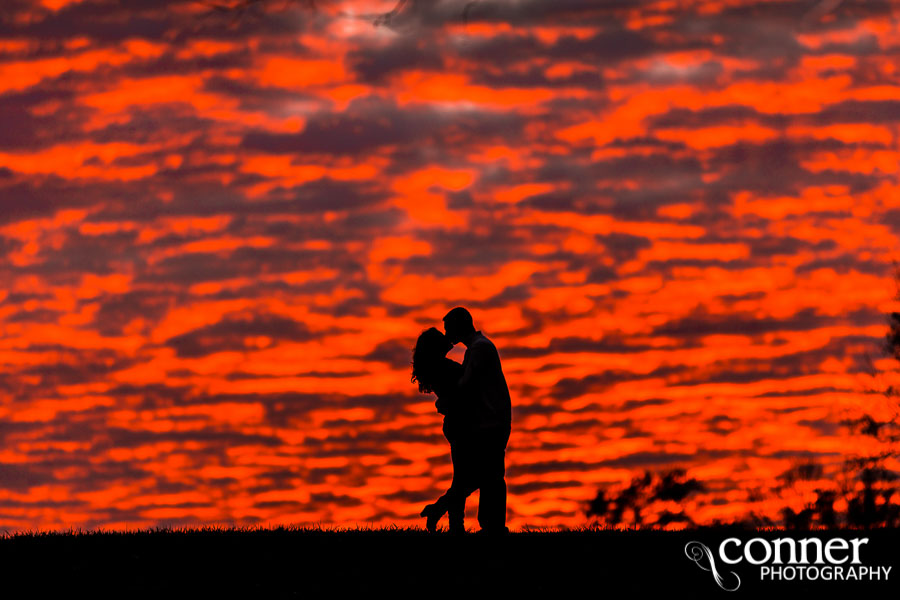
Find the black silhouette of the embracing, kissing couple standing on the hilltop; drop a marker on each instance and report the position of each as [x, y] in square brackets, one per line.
[475, 402]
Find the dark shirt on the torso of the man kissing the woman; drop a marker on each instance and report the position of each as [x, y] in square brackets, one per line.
[483, 384]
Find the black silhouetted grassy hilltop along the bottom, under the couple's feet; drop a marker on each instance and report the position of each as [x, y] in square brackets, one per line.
[317, 563]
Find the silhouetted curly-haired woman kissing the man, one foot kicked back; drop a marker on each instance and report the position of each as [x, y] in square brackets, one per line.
[437, 373]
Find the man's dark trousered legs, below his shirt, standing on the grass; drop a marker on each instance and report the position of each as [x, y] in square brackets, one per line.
[492, 473]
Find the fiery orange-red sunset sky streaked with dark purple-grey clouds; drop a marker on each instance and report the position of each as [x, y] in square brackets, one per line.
[222, 232]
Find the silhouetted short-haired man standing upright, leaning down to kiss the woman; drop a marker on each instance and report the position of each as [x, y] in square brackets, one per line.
[483, 384]
